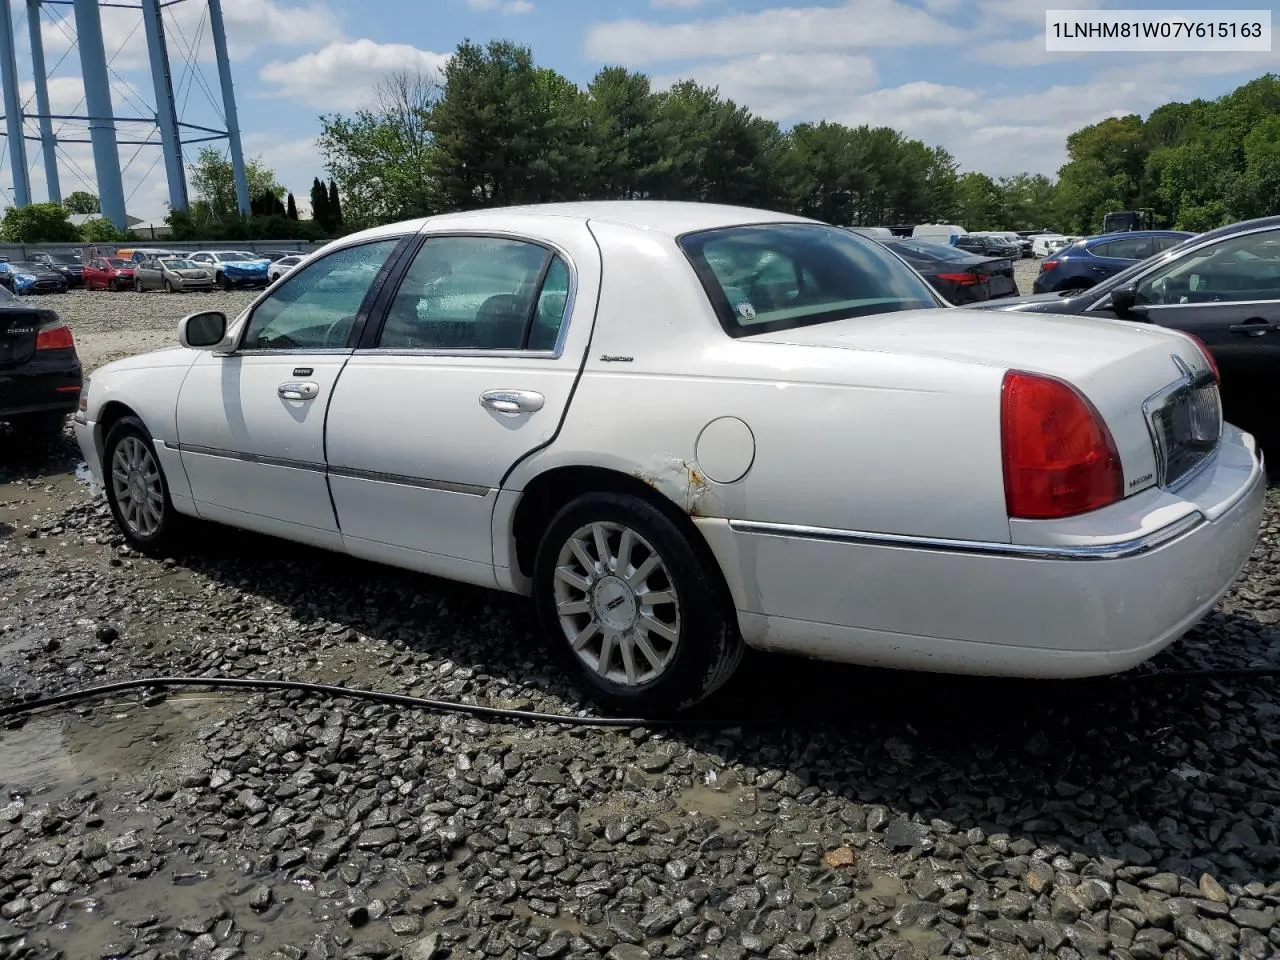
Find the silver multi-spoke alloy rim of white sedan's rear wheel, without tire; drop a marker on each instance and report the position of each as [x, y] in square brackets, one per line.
[616, 604]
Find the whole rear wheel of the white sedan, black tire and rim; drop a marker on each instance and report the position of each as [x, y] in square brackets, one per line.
[638, 618]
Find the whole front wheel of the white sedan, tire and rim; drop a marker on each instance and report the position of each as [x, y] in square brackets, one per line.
[138, 491]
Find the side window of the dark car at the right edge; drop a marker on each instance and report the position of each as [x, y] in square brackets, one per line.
[1242, 268]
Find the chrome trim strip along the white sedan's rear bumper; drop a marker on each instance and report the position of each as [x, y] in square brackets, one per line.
[1121, 550]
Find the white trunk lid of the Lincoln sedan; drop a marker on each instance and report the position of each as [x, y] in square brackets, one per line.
[1118, 365]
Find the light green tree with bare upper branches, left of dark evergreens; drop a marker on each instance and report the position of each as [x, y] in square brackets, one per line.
[380, 157]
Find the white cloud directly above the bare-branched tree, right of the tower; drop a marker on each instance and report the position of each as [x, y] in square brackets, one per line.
[342, 75]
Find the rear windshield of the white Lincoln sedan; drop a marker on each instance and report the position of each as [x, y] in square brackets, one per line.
[779, 277]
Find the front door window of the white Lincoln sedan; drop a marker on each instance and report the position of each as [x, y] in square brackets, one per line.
[317, 308]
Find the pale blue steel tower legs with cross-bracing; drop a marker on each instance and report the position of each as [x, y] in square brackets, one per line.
[100, 117]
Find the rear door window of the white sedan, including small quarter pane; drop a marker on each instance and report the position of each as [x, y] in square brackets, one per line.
[478, 294]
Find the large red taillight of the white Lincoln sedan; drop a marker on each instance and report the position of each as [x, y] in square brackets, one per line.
[1059, 456]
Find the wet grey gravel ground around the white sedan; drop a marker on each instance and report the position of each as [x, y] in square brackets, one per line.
[838, 813]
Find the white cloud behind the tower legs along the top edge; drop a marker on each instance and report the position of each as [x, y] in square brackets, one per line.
[252, 25]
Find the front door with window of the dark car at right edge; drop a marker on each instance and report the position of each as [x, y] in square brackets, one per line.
[1228, 295]
